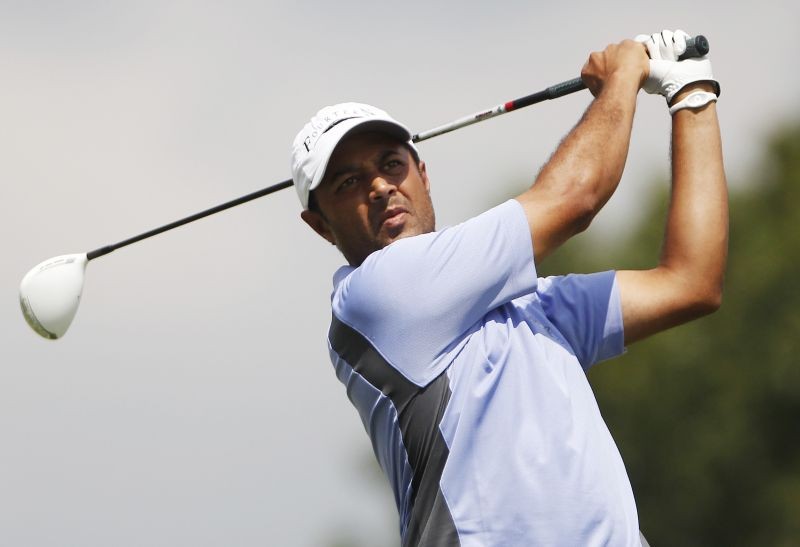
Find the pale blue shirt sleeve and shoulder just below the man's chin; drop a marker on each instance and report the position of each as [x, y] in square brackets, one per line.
[414, 299]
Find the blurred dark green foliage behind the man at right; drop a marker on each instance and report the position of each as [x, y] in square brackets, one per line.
[707, 415]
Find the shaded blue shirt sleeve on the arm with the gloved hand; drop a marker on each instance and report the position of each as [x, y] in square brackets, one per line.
[587, 311]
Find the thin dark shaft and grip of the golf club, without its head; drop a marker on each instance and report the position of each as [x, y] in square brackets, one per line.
[696, 47]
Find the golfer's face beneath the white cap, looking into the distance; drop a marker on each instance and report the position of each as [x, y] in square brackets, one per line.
[373, 194]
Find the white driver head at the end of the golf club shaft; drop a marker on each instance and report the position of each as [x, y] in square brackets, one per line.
[49, 294]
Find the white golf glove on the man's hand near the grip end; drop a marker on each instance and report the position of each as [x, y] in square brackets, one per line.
[667, 74]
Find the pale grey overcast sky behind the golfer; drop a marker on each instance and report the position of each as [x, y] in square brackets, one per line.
[193, 402]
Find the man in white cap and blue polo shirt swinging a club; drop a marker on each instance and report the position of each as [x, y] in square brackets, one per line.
[468, 372]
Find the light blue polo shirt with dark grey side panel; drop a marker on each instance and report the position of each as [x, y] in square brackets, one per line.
[469, 375]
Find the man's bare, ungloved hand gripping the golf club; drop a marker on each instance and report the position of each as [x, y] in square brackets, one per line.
[627, 59]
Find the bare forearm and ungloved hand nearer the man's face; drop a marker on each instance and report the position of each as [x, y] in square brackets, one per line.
[584, 171]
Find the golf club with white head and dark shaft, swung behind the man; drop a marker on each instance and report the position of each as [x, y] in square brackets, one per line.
[50, 292]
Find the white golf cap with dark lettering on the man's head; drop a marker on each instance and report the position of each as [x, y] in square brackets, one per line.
[314, 144]
